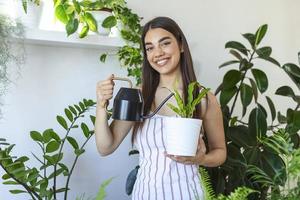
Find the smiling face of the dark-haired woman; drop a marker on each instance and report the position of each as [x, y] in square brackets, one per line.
[163, 52]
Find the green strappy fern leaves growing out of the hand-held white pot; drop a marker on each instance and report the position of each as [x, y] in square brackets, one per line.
[187, 109]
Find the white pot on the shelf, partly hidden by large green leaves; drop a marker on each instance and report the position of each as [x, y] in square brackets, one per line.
[100, 16]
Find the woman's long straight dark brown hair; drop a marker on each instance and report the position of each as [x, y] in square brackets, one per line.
[150, 77]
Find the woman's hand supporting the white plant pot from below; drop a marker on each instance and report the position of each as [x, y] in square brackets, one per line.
[198, 159]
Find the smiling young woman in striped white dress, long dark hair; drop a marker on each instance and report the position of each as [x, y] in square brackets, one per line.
[167, 62]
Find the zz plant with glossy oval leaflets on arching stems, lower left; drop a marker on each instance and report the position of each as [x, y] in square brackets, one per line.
[40, 182]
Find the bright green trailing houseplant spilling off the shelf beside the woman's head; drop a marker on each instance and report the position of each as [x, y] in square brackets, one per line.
[72, 13]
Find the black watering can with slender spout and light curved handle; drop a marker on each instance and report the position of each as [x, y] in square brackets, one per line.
[129, 104]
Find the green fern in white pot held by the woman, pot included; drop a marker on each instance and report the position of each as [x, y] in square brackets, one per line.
[183, 131]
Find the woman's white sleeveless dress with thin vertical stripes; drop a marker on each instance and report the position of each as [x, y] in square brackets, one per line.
[159, 177]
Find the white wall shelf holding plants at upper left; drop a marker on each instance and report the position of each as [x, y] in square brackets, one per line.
[58, 38]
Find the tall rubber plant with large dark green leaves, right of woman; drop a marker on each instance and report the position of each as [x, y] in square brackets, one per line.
[247, 83]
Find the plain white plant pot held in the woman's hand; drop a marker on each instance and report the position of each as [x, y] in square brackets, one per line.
[182, 135]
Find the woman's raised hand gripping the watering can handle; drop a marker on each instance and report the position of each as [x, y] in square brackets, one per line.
[104, 91]
